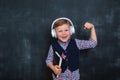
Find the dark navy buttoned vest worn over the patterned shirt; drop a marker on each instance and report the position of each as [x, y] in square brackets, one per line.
[71, 60]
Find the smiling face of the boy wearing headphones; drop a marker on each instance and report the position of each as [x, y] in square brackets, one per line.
[63, 32]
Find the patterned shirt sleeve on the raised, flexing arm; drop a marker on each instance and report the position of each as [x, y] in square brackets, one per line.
[85, 44]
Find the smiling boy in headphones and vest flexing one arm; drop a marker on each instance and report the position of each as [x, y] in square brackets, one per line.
[68, 48]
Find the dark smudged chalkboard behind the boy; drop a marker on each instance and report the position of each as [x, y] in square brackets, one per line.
[25, 37]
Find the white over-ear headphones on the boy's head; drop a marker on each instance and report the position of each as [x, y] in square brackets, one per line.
[72, 29]
